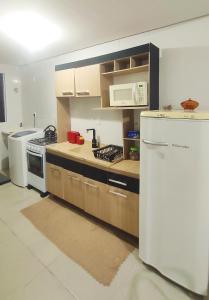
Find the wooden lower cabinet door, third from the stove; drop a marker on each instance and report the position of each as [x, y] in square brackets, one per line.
[92, 197]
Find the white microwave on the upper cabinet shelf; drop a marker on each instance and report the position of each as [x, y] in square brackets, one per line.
[129, 94]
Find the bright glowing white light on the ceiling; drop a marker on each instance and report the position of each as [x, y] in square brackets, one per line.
[30, 30]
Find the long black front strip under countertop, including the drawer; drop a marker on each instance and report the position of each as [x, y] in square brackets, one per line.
[106, 177]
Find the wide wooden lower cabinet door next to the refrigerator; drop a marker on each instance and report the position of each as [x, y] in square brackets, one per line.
[121, 209]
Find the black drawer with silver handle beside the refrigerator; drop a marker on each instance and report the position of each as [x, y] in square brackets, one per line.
[123, 182]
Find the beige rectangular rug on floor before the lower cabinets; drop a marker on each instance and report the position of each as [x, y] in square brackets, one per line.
[92, 246]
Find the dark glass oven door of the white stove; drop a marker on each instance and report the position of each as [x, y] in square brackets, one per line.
[35, 163]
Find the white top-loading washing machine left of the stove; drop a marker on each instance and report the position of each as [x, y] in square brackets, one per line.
[17, 154]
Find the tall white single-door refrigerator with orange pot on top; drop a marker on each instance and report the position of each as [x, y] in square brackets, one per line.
[174, 196]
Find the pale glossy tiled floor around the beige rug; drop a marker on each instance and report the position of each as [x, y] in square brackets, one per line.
[32, 268]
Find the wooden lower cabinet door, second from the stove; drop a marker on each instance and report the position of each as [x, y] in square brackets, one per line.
[73, 188]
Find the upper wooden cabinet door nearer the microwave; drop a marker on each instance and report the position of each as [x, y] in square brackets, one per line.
[87, 81]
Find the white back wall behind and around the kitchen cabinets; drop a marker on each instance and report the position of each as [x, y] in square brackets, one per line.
[184, 72]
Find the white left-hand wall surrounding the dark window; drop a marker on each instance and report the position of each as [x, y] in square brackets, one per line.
[13, 108]
